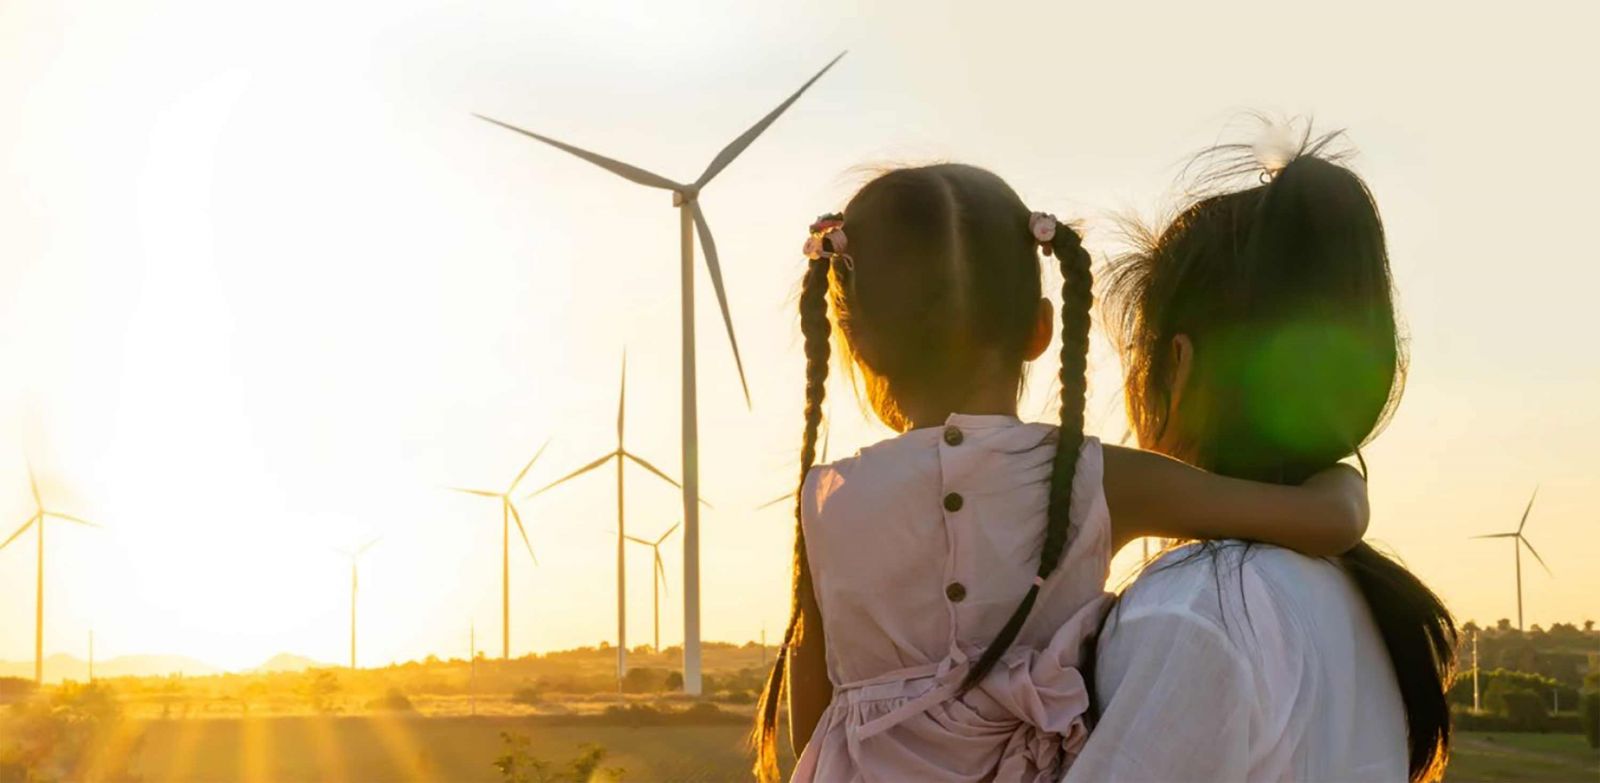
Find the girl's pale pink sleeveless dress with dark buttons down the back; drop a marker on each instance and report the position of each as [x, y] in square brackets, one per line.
[921, 548]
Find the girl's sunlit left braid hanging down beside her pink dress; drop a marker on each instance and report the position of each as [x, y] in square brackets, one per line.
[815, 327]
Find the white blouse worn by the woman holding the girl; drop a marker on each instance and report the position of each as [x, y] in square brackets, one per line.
[1255, 665]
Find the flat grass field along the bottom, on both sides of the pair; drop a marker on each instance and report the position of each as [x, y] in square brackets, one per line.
[460, 749]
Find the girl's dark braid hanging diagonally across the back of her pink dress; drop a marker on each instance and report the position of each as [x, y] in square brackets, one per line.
[1076, 299]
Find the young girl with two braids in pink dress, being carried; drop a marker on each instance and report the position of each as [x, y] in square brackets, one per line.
[948, 580]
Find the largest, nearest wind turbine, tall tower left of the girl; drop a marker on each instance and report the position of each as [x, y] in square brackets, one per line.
[686, 196]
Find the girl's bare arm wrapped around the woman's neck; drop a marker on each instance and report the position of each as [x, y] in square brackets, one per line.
[1154, 496]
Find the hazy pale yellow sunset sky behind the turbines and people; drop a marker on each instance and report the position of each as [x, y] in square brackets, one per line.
[266, 286]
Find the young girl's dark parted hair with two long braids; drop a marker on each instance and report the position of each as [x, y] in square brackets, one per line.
[942, 284]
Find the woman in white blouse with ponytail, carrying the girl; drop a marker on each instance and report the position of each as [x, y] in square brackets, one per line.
[1260, 340]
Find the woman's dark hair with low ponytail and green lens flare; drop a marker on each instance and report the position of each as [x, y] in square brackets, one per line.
[1297, 361]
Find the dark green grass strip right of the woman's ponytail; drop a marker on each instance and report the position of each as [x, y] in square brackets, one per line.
[1481, 758]
